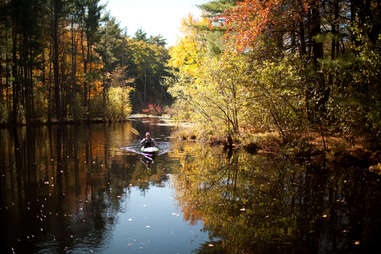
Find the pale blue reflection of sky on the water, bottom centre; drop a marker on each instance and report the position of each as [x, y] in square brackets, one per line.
[152, 223]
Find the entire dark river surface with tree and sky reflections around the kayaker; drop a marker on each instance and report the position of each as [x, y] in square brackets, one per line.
[73, 190]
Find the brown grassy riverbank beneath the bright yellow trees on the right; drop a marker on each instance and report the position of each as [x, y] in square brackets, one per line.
[309, 146]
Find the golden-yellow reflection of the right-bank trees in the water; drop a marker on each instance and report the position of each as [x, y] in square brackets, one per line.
[256, 204]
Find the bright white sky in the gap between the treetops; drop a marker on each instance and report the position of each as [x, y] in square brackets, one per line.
[153, 16]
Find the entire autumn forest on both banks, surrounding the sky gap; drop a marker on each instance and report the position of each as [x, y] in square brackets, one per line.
[286, 66]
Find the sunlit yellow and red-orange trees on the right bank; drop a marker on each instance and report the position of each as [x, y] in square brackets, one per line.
[293, 67]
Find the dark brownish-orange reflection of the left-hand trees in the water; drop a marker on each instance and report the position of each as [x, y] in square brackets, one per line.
[62, 186]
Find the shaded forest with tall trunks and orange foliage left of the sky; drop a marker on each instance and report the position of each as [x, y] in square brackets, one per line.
[69, 60]
